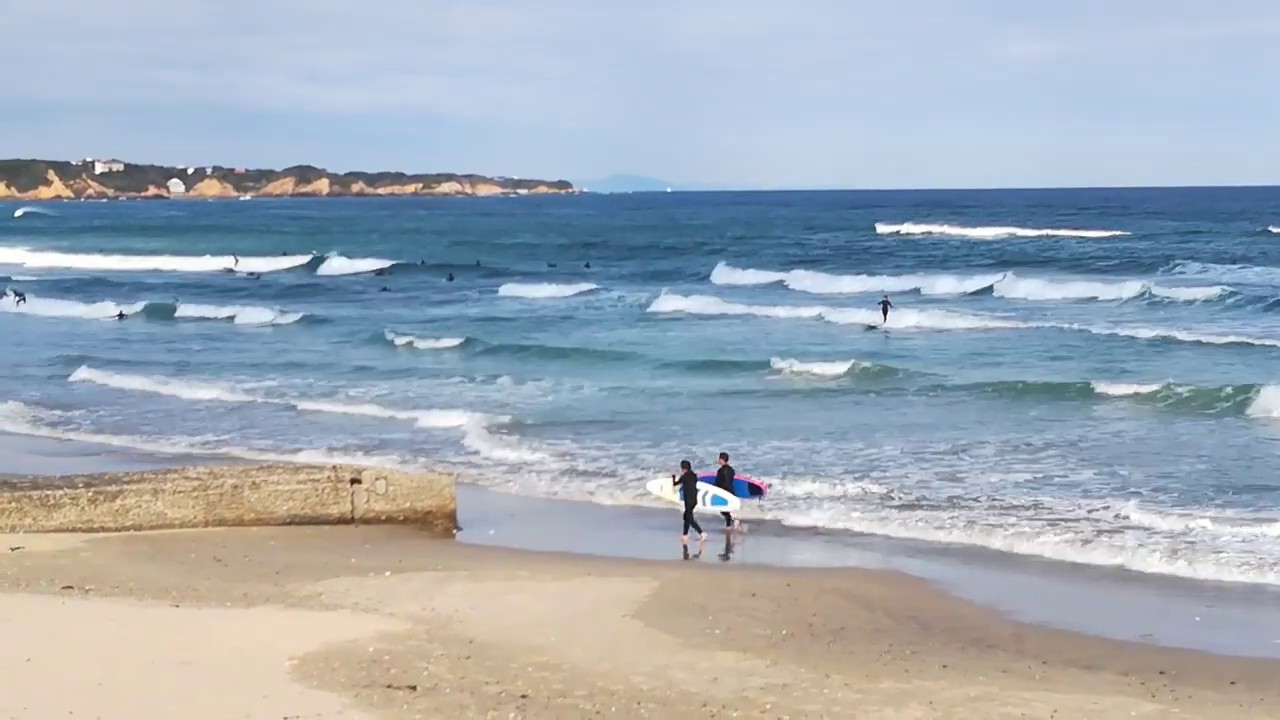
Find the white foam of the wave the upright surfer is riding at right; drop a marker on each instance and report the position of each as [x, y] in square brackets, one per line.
[899, 320]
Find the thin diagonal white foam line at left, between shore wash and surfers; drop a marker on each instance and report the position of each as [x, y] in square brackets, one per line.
[213, 393]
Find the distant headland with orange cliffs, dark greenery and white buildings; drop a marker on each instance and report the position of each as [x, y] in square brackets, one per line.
[98, 179]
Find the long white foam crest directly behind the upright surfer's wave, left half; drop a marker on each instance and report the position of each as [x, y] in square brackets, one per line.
[826, 284]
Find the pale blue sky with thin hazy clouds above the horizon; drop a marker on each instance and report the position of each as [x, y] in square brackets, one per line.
[744, 94]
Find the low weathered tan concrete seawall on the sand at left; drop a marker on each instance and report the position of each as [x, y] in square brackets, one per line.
[230, 496]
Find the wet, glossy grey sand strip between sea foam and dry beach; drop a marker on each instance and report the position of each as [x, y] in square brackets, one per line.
[1229, 619]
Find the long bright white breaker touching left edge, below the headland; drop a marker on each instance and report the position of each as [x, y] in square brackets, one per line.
[141, 263]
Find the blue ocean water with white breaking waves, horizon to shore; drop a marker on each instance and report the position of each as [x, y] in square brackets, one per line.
[1084, 376]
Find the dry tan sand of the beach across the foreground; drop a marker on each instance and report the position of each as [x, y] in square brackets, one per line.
[326, 623]
